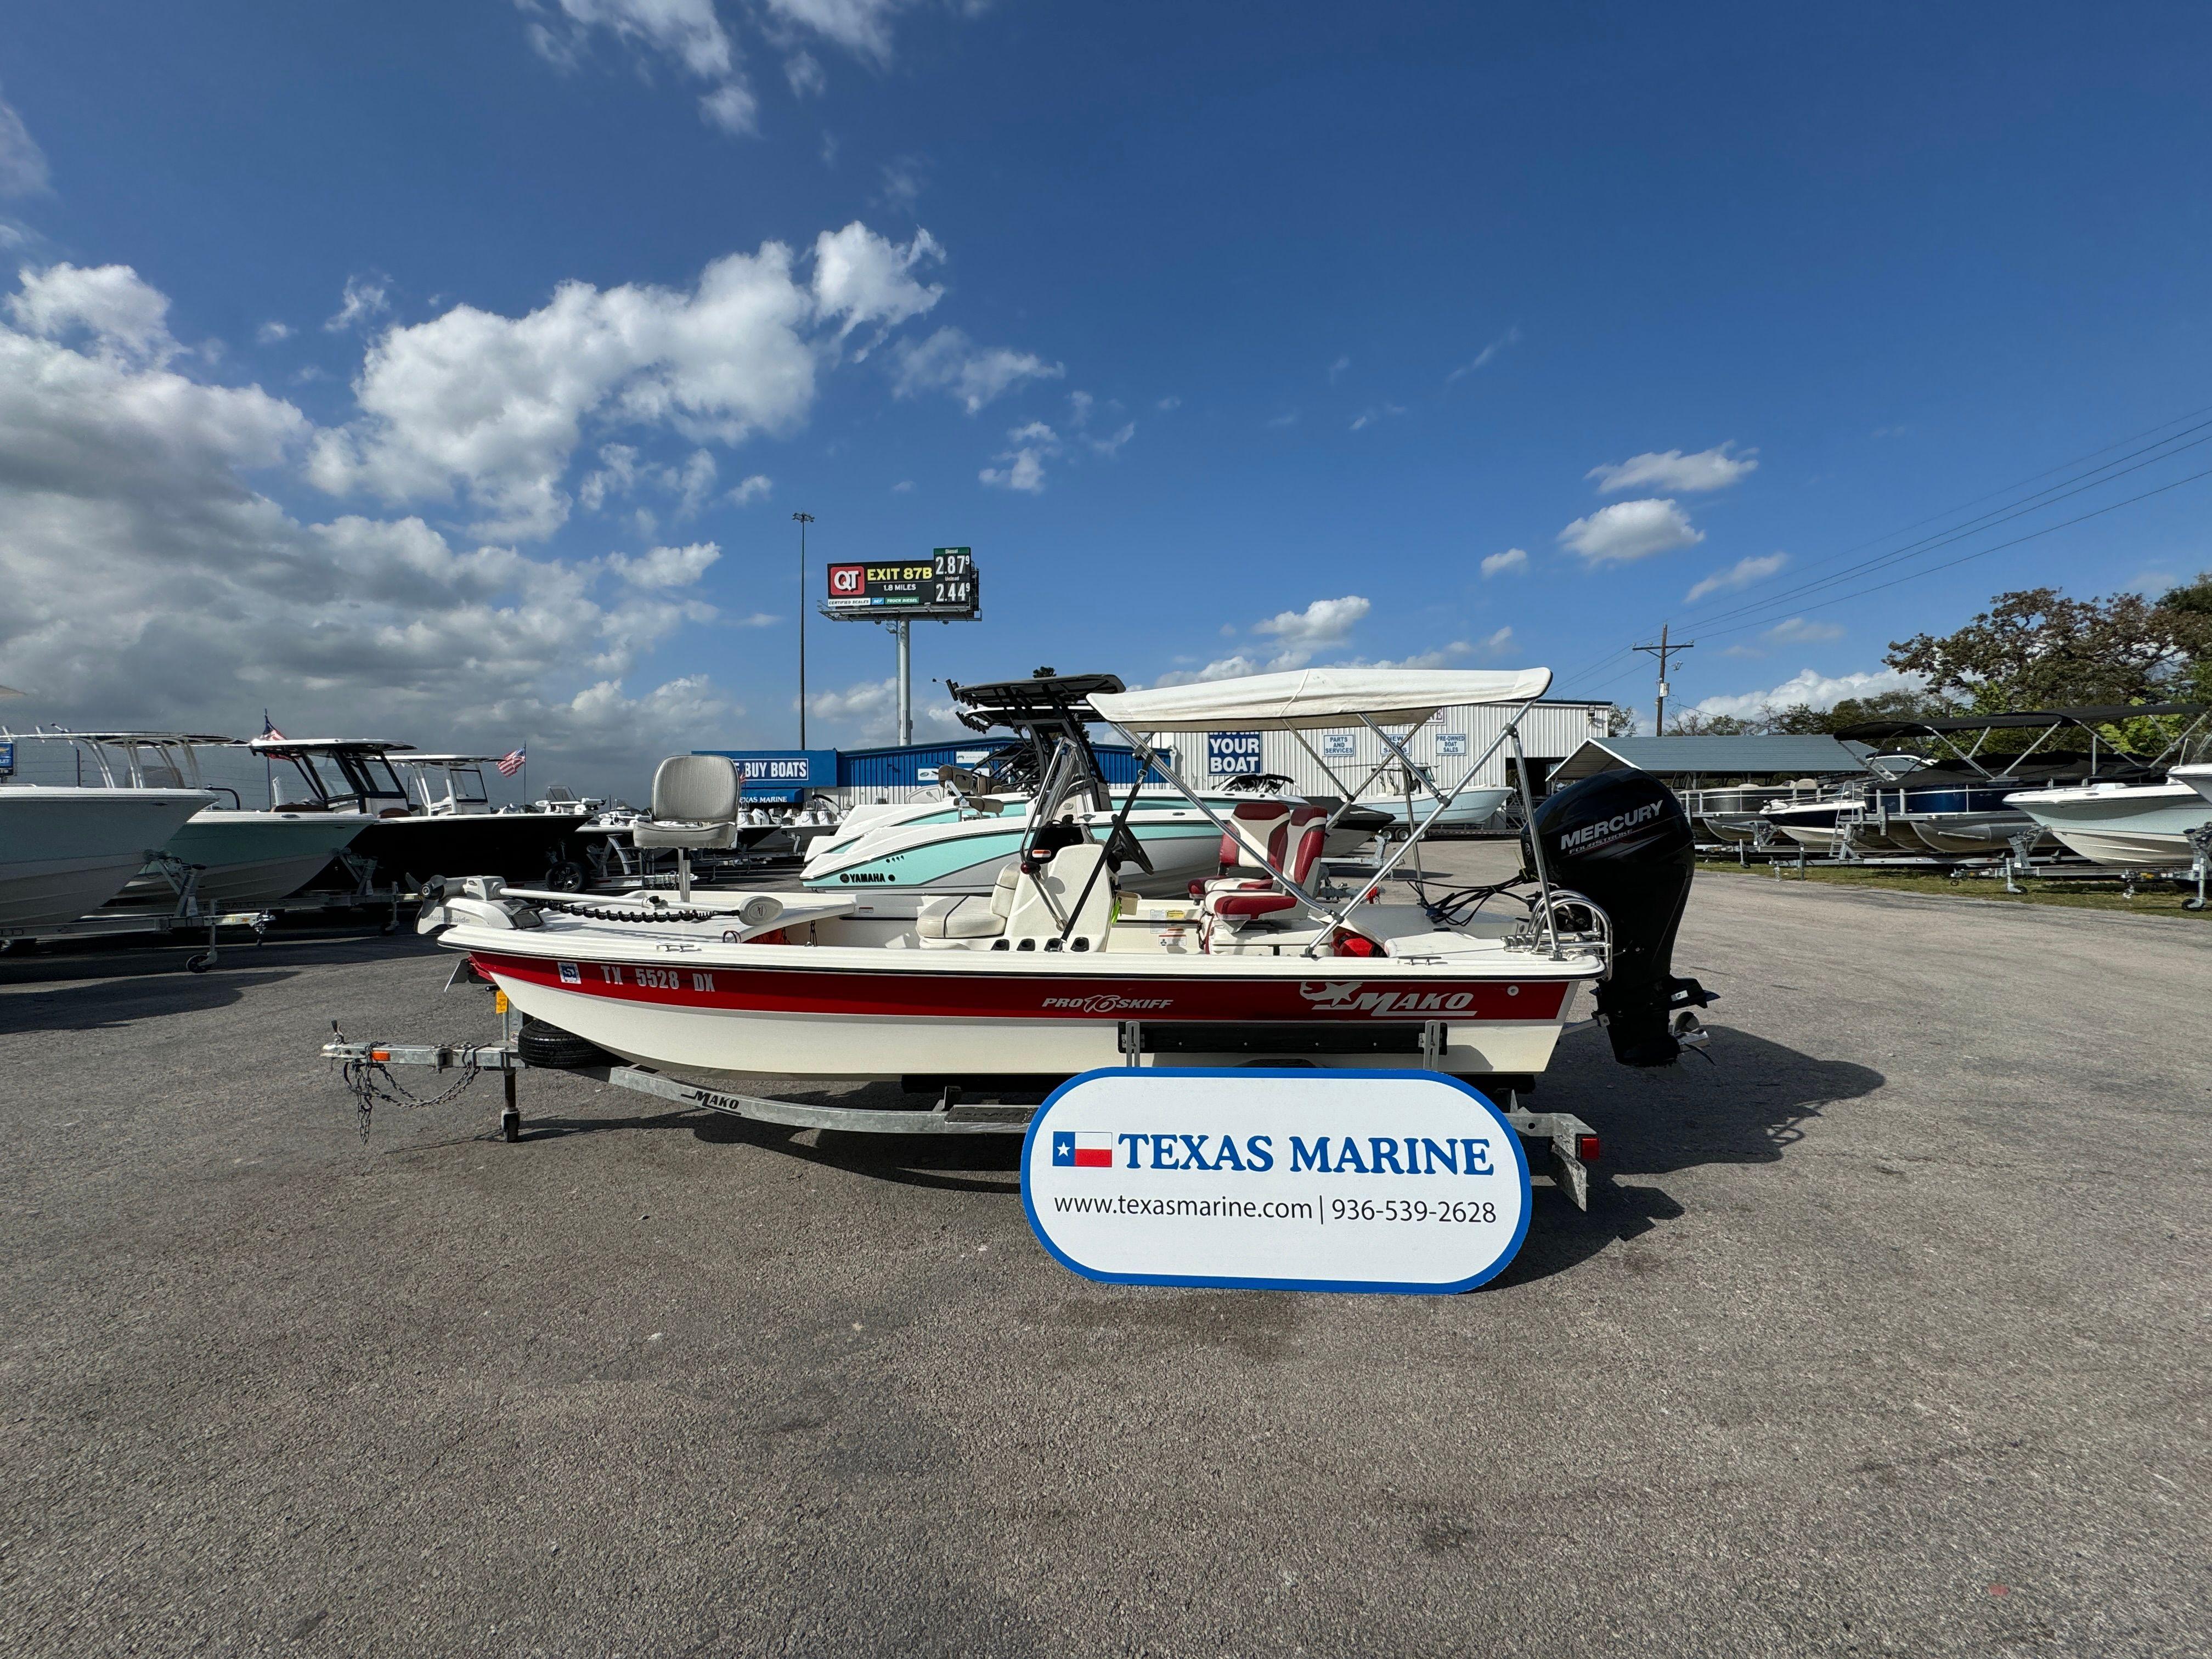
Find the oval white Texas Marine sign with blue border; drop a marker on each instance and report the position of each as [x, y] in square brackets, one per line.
[1277, 1180]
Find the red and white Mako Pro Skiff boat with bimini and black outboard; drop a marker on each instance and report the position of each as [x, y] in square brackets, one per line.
[1061, 970]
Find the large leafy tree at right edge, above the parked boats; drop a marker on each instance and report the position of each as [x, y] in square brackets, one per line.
[2038, 649]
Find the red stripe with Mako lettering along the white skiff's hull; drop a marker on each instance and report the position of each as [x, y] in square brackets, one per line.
[1021, 997]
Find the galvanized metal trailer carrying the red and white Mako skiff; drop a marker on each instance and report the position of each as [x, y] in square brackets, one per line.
[366, 1067]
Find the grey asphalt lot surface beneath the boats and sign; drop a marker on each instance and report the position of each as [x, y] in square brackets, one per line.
[1886, 1335]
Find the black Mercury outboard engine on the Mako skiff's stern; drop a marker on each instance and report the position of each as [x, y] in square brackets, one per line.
[1623, 842]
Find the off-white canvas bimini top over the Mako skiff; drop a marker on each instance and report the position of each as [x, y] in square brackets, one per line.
[1313, 700]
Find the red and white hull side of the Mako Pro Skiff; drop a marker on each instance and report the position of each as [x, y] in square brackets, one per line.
[1052, 1023]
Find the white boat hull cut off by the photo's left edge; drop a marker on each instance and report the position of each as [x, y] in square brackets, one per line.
[67, 853]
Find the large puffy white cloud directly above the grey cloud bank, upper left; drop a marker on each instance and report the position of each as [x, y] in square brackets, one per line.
[497, 406]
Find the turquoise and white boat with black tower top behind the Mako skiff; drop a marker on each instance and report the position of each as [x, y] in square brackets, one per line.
[1047, 771]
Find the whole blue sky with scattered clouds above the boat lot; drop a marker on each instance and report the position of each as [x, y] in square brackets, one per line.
[455, 371]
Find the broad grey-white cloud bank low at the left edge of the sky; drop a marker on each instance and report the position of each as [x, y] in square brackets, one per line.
[129, 523]
